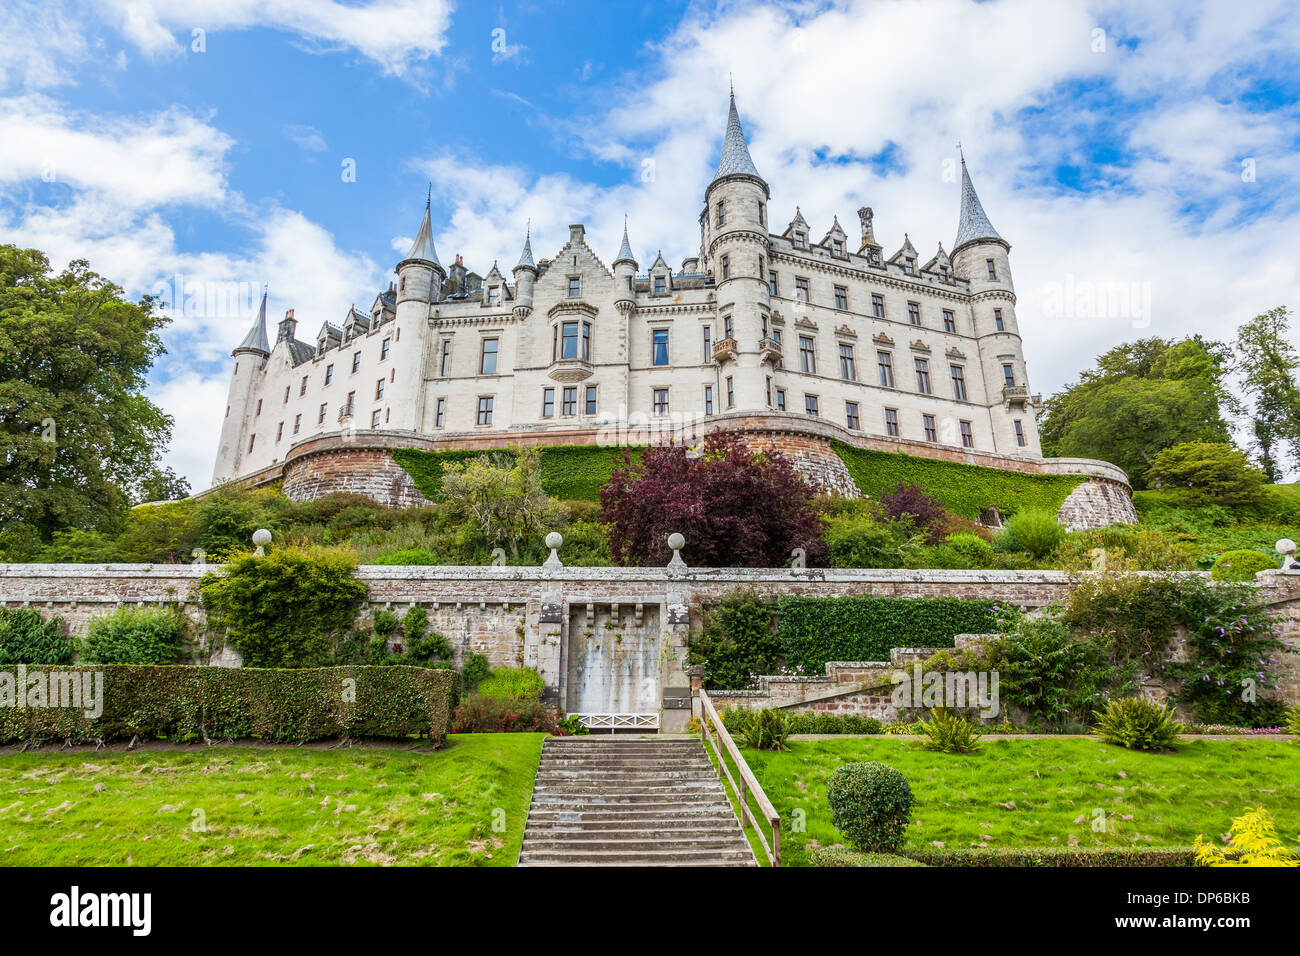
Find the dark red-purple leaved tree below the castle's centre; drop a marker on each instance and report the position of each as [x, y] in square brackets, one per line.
[736, 508]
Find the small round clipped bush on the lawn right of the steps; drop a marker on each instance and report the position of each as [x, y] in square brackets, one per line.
[870, 806]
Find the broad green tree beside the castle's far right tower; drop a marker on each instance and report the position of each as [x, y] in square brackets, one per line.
[1142, 397]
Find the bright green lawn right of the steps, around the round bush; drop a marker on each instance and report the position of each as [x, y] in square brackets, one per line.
[1042, 793]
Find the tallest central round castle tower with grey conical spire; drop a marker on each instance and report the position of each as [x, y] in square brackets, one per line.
[738, 253]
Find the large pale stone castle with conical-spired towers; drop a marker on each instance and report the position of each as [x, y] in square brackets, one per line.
[786, 338]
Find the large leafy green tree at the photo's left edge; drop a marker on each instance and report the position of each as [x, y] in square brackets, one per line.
[80, 439]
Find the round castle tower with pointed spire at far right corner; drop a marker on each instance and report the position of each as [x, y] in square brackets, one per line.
[981, 256]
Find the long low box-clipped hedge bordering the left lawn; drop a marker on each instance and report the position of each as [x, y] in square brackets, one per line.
[188, 704]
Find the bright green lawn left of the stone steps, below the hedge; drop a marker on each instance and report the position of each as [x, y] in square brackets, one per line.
[463, 806]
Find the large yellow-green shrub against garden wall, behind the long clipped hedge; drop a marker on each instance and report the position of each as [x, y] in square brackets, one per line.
[287, 609]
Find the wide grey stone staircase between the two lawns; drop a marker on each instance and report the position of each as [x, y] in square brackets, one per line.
[631, 802]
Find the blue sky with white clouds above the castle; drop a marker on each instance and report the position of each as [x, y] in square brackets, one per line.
[1143, 159]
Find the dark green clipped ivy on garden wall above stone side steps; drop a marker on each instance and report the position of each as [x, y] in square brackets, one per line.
[816, 630]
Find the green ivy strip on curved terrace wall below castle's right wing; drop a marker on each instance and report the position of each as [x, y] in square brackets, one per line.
[967, 490]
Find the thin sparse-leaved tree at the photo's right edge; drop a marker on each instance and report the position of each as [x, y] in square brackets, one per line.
[1268, 365]
